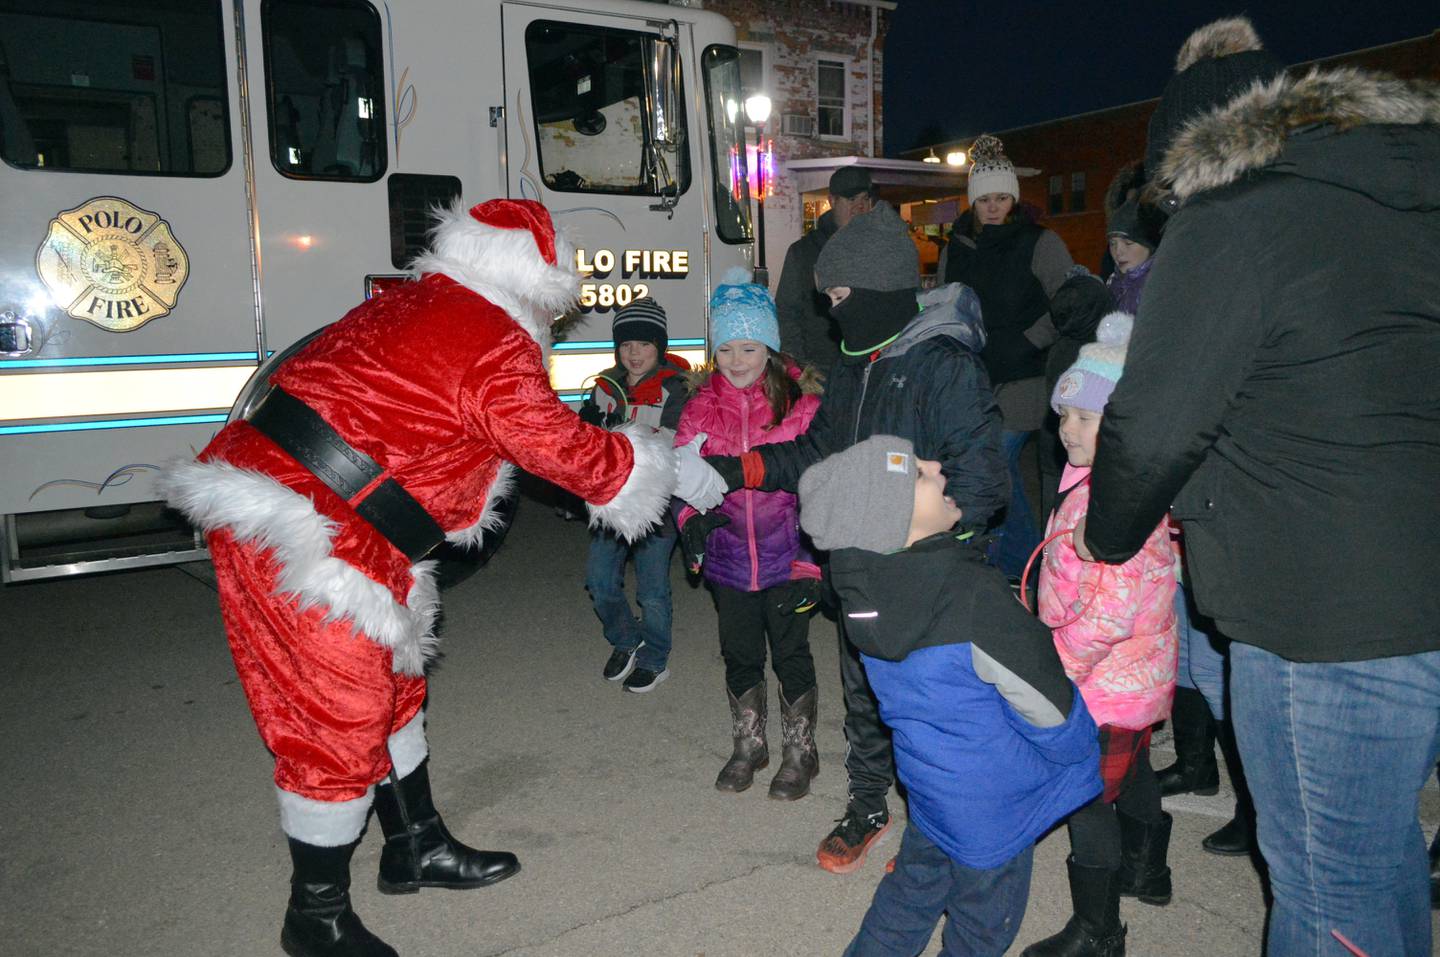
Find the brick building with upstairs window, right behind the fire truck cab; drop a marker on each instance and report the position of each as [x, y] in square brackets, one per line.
[820, 63]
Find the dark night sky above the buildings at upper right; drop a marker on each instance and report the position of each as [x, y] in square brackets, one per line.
[958, 68]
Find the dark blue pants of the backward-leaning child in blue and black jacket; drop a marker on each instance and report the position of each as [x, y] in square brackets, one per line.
[984, 907]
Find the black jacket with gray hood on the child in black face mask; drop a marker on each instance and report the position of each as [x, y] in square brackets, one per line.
[928, 386]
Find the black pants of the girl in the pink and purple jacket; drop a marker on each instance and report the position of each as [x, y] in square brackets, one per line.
[748, 621]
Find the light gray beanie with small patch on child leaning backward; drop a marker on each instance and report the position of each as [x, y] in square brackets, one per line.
[862, 497]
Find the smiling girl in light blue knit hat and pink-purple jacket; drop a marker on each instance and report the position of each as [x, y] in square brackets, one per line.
[750, 550]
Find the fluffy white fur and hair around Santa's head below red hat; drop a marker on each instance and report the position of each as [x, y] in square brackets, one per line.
[505, 267]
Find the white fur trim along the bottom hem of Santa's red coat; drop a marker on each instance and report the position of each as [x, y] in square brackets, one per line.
[258, 510]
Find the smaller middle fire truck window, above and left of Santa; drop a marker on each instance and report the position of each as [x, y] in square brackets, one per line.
[325, 90]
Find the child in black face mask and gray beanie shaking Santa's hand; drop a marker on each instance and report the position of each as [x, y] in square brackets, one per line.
[909, 368]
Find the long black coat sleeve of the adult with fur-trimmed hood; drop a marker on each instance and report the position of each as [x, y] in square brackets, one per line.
[1190, 355]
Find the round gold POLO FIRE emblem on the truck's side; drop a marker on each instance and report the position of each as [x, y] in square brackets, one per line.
[113, 264]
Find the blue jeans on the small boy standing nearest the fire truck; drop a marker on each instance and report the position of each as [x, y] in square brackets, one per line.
[606, 579]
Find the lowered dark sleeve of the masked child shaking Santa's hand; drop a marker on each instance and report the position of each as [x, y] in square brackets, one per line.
[960, 411]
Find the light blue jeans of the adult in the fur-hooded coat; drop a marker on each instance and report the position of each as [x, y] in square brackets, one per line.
[1337, 755]
